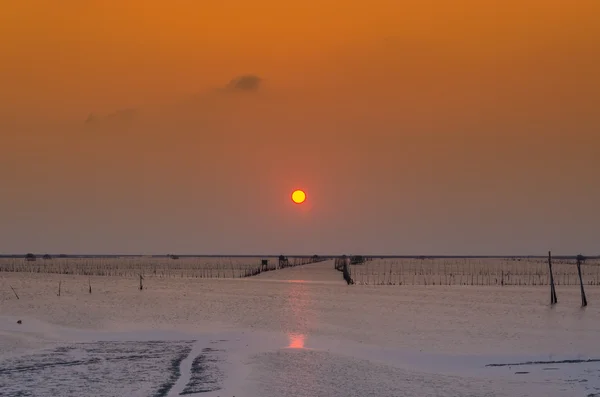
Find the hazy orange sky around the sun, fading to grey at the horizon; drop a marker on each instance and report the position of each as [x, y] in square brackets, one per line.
[415, 127]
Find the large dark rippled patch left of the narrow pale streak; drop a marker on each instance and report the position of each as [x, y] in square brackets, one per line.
[99, 369]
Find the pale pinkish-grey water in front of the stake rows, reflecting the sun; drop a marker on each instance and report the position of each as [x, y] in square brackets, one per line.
[293, 332]
